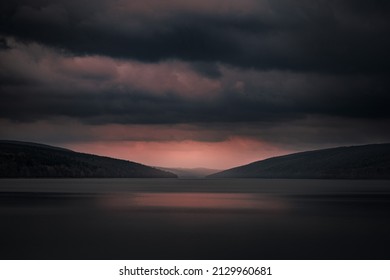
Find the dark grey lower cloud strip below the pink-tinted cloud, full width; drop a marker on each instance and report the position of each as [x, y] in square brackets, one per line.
[29, 103]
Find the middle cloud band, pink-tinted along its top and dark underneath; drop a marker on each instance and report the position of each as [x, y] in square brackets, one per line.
[39, 83]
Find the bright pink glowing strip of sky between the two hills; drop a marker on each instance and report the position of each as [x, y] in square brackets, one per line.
[186, 154]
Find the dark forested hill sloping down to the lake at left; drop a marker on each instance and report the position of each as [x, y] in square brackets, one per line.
[32, 160]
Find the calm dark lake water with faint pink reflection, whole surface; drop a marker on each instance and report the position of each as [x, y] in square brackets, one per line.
[194, 219]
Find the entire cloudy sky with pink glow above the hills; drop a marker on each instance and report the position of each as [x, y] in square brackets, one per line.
[205, 83]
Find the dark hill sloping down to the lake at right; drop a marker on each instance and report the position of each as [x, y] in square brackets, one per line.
[355, 162]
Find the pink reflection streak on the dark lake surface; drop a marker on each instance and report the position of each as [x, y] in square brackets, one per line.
[195, 201]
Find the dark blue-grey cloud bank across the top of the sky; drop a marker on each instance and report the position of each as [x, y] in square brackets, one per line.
[325, 36]
